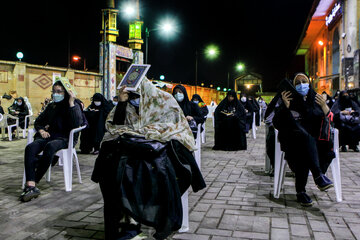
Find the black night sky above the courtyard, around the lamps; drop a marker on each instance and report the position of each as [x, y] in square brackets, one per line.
[261, 34]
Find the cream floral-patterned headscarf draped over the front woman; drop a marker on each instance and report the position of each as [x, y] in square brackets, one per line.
[160, 118]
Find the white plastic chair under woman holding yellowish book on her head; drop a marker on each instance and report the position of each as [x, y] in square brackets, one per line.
[65, 159]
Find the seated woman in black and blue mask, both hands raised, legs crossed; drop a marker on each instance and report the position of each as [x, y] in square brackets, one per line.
[299, 120]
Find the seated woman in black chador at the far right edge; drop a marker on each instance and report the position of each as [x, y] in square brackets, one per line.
[347, 120]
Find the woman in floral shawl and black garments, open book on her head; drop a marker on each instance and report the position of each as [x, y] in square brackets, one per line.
[145, 164]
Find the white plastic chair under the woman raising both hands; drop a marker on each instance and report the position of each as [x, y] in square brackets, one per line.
[279, 171]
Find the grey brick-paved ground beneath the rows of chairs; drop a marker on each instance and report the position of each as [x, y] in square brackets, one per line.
[237, 203]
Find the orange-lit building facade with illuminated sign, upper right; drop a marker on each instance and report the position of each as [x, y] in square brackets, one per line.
[330, 45]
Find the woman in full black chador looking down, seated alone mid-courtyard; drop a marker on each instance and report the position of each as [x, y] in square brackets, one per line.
[230, 120]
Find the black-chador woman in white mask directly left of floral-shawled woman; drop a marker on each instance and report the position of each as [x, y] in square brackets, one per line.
[96, 115]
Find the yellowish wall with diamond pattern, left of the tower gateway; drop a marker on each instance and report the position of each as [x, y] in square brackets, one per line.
[35, 82]
